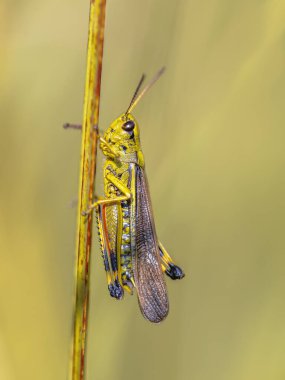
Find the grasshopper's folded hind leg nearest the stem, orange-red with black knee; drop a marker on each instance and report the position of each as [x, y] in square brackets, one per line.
[109, 258]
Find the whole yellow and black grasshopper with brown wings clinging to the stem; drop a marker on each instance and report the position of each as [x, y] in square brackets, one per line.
[133, 256]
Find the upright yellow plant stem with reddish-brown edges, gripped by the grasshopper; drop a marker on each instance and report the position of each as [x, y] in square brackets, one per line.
[86, 182]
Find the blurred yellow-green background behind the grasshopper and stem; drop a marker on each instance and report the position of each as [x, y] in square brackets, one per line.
[213, 136]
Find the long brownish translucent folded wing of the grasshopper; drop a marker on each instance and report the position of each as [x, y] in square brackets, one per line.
[151, 287]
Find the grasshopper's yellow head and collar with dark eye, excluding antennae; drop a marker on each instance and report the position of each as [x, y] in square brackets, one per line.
[122, 140]
